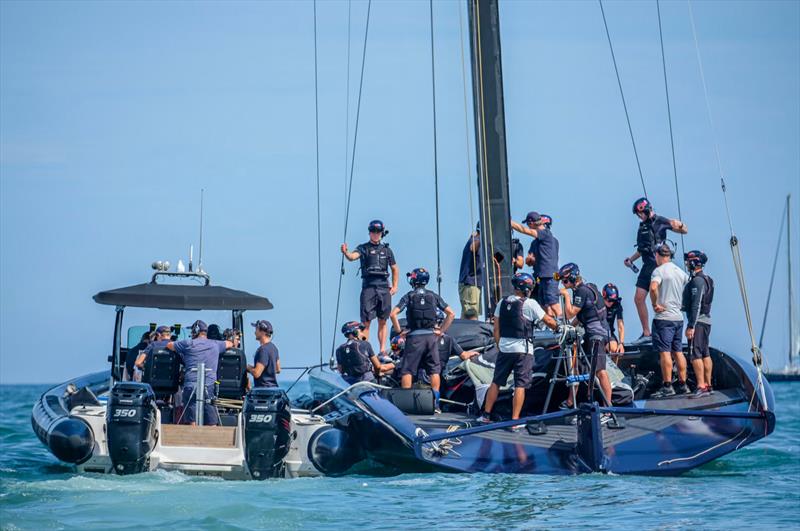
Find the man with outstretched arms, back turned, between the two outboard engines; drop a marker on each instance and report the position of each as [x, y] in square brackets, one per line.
[199, 349]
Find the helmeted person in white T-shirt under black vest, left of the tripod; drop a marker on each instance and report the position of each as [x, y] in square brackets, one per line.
[515, 317]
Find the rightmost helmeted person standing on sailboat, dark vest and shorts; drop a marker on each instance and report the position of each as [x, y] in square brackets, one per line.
[697, 298]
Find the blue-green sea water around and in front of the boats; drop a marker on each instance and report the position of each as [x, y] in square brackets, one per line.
[756, 487]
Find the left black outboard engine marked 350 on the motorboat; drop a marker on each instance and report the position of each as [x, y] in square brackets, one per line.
[131, 424]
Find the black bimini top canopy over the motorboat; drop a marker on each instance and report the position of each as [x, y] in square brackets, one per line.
[182, 297]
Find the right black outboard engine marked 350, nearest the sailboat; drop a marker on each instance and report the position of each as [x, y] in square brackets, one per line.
[267, 431]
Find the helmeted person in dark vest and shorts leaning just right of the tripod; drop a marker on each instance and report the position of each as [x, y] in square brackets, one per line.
[588, 307]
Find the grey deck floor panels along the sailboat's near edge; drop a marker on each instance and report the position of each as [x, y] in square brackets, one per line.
[560, 435]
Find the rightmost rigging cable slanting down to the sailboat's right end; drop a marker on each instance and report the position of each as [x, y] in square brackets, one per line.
[734, 241]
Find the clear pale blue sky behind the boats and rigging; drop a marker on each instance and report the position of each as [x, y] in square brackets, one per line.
[113, 116]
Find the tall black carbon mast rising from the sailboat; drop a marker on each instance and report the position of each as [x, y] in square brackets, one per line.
[490, 142]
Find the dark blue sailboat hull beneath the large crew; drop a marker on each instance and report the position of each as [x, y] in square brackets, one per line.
[657, 437]
